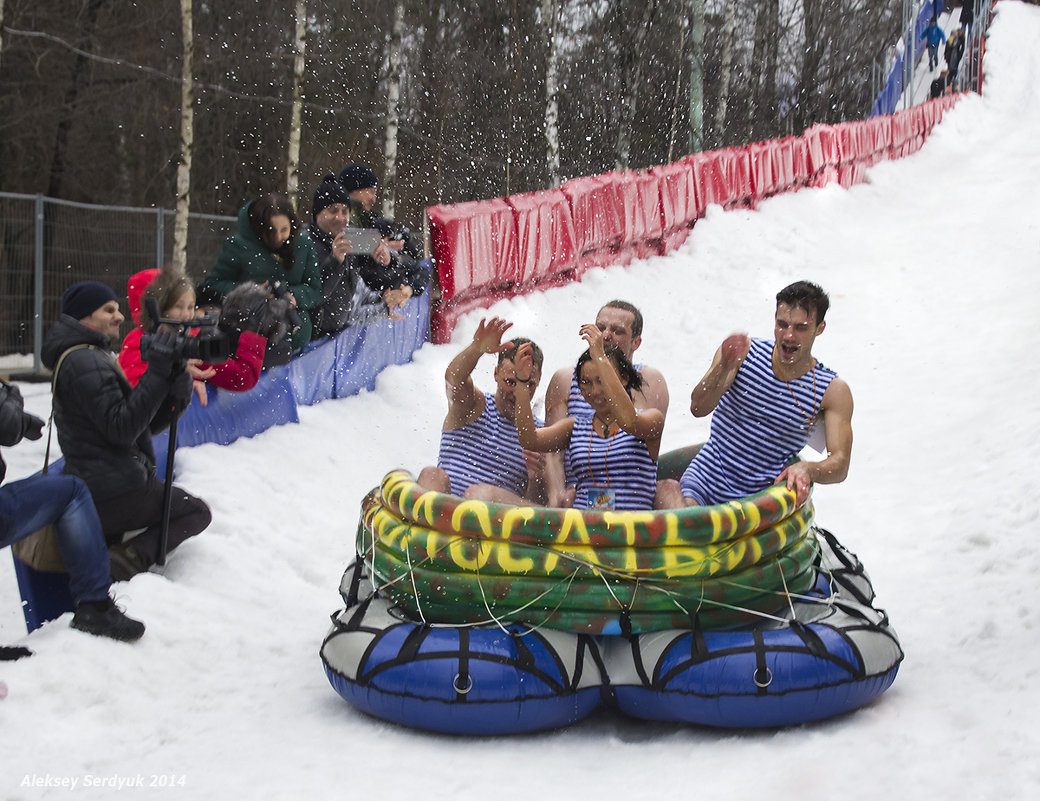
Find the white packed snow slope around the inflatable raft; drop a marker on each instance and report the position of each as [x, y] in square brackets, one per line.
[932, 267]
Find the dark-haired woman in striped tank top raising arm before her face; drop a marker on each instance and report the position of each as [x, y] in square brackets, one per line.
[613, 452]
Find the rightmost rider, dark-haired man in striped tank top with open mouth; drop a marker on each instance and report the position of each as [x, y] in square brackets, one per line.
[767, 398]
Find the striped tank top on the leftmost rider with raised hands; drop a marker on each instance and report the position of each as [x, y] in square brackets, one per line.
[485, 452]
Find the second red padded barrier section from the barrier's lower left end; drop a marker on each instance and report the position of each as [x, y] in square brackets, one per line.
[545, 235]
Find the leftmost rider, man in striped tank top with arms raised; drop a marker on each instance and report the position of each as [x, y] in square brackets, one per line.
[480, 447]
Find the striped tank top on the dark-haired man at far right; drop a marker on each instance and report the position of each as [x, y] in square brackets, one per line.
[761, 423]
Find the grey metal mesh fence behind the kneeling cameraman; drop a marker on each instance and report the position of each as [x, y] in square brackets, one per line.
[48, 245]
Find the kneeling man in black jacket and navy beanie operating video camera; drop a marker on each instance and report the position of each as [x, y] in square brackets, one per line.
[106, 426]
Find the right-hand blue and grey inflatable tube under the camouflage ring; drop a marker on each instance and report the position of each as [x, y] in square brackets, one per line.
[830, 654]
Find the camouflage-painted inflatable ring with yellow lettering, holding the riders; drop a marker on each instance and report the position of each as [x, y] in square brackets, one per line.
[447, 560]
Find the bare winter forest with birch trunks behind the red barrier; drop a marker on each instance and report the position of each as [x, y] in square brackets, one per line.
[449, 100]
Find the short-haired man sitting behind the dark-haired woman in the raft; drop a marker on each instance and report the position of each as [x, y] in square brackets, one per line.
[621, 324]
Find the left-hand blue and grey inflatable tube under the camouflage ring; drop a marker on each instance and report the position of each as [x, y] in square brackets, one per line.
[459, 680]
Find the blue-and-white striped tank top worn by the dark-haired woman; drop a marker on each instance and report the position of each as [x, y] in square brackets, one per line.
[620, 462]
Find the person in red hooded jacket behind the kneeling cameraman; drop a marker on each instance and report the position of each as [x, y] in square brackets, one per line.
[231, 352]
